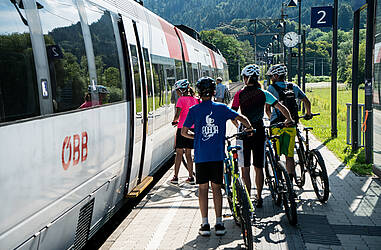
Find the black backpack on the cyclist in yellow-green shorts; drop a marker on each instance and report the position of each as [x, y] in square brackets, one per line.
[288, 99]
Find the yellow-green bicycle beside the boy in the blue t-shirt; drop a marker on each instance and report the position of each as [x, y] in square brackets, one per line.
[237, 195]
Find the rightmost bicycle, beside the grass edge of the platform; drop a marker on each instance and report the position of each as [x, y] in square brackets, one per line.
[311, 161]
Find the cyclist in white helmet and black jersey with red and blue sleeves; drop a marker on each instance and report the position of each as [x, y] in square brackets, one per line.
[251, 100]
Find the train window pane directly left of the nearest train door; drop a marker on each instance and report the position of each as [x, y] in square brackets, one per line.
[105, 52]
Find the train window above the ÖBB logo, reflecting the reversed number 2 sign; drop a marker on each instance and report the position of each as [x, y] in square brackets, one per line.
[66, 53]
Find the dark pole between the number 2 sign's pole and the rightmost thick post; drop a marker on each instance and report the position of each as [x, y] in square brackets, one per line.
[355, 80]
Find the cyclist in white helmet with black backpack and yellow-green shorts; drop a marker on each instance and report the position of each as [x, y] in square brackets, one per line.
[287, 93]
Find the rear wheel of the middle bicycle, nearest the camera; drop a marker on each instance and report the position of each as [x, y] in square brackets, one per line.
[288, 196]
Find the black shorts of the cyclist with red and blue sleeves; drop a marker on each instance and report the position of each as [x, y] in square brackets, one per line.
[254, 145]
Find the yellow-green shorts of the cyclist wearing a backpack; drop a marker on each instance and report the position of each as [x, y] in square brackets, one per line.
[286, 143]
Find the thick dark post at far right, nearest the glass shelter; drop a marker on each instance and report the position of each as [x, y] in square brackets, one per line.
[368, 81]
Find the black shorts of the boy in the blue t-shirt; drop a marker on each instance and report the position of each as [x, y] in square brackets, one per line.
[209, 171]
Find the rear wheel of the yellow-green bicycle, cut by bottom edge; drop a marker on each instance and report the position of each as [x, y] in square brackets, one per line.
[245, 214]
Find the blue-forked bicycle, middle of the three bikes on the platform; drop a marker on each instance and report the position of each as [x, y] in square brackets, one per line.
[277, 178]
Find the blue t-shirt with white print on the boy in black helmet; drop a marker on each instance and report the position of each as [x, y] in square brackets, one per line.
[209, 120]
